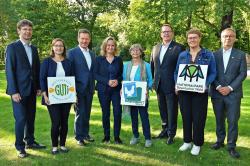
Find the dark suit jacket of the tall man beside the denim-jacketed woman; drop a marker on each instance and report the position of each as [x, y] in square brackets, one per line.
[164, 73]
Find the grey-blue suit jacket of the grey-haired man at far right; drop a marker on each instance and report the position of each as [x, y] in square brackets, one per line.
[234, 75]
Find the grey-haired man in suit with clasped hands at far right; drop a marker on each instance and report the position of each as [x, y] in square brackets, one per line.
[226, 91]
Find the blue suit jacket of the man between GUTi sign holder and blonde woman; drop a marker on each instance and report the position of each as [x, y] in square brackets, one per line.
[84, 76]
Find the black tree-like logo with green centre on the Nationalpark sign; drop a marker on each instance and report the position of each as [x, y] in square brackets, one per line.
[192, 71]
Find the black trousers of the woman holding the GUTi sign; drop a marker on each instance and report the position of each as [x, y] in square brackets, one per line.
[59, 115]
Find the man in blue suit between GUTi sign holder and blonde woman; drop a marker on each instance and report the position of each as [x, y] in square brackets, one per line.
[83, 62]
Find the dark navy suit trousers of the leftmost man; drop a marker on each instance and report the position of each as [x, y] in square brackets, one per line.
[24, 114]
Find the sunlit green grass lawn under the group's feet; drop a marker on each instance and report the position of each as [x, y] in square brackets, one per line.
[110, 154]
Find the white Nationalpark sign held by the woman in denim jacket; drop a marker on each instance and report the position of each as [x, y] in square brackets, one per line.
[192, 77]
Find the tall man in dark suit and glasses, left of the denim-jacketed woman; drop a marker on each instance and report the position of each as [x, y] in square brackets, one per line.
[163, 62]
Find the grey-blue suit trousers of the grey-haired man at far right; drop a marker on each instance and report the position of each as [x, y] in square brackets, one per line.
[227, 108]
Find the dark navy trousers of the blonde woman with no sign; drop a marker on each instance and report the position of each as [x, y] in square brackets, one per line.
[105, 99]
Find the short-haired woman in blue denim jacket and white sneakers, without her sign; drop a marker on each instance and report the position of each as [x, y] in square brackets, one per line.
[193, 105]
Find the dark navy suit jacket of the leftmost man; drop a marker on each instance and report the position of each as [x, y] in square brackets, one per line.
[21, 76]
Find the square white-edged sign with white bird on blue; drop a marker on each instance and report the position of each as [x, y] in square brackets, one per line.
[134, 93]
